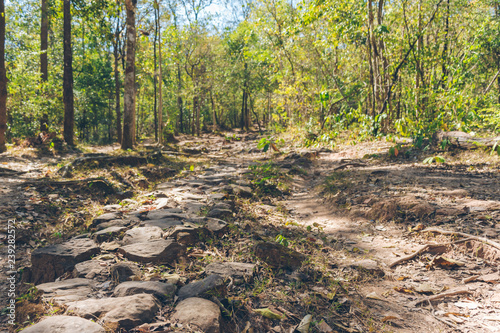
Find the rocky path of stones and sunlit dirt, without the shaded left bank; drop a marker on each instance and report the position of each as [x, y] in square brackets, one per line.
[222, 248]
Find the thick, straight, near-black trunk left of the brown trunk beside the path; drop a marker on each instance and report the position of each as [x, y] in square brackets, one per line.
[69, 111]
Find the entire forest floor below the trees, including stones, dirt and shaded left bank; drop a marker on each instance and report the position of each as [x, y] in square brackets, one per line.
[361, 239]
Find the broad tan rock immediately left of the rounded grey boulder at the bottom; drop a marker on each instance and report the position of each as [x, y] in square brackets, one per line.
[121, 312]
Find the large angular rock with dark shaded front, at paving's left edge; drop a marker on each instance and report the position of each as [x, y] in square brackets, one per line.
[48, 263]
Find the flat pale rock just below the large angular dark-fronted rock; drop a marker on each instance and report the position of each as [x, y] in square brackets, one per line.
[62, 292]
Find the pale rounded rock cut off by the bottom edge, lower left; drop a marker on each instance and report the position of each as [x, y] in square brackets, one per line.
[64, 324]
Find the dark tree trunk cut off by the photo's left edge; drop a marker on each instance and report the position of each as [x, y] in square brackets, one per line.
[3, 80]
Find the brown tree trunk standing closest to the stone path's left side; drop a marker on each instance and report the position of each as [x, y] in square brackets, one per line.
[129, 92]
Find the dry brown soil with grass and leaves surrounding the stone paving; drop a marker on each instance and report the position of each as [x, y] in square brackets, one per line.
[353, 211]
